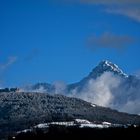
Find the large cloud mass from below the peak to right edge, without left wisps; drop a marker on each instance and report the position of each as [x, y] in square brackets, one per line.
[108, 90]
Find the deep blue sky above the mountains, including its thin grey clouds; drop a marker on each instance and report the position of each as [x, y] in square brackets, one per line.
[61, 40]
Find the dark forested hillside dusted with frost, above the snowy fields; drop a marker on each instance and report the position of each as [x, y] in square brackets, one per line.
[20, 110]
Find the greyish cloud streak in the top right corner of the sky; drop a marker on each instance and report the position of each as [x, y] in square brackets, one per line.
[129, 8]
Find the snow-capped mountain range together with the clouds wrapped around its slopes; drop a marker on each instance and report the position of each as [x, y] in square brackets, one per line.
[106, 85]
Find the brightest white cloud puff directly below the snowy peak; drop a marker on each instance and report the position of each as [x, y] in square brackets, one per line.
[99, 91]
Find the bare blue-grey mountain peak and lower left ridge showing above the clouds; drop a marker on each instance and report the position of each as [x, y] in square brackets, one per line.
[101, 68]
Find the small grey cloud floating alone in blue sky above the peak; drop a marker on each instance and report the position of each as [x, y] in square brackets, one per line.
[109, 40]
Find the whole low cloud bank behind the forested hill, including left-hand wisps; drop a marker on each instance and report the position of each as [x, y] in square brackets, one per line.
[107, 90]
